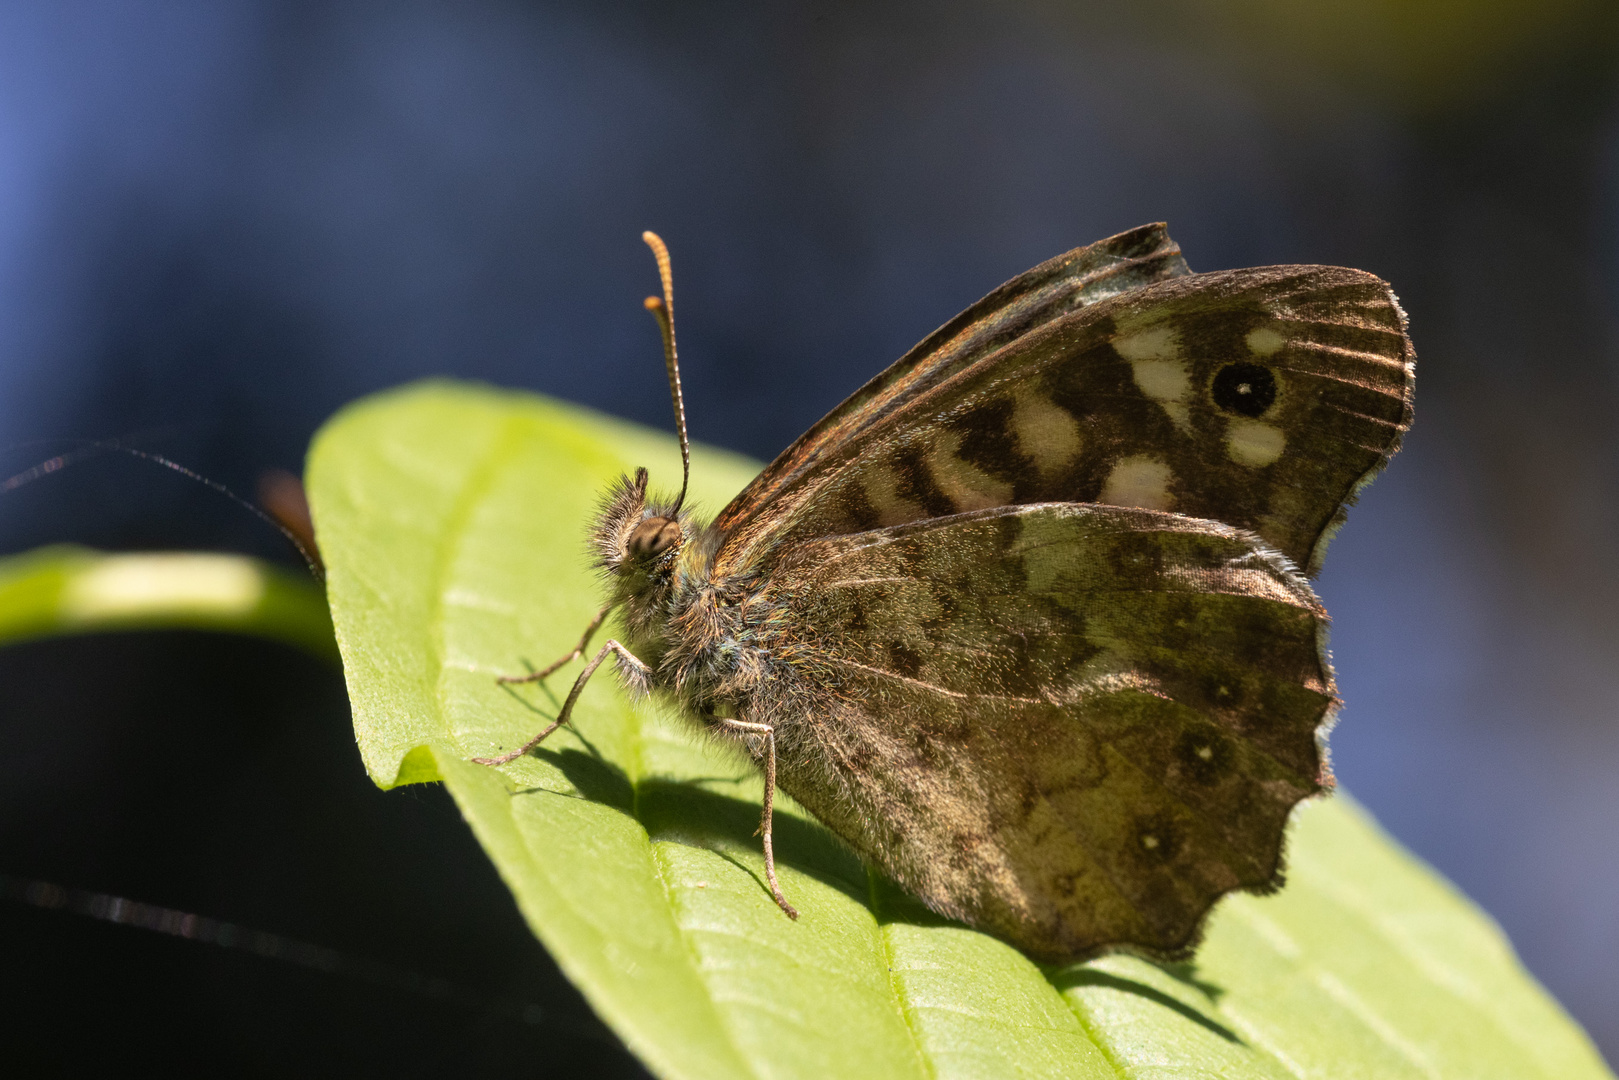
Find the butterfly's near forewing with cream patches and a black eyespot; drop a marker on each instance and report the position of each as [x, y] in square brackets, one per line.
[1262, 399]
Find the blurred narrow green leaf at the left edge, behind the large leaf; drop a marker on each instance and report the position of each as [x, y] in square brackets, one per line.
[62, 590]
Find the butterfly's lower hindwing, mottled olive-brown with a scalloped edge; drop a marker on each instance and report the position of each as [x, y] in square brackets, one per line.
[1071, 726]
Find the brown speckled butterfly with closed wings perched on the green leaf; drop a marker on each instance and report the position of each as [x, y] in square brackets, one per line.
[1027, 621]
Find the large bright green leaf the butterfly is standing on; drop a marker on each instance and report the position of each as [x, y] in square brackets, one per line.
[454, 521]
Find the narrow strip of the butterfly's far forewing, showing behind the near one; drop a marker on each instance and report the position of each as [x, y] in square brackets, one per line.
[1030, 300]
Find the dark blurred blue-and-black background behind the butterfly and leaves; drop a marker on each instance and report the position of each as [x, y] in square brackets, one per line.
[221, 221]
